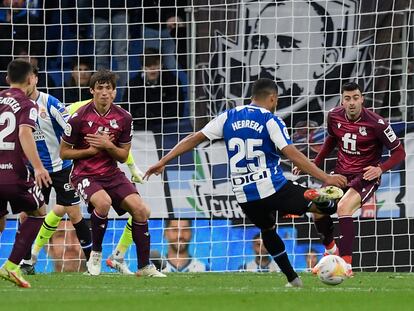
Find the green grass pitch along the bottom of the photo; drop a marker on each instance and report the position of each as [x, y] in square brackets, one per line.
[208, 291]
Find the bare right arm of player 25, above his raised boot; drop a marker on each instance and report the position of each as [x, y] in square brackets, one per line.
[305, 165]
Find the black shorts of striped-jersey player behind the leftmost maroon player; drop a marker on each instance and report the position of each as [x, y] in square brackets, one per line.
[65, 193]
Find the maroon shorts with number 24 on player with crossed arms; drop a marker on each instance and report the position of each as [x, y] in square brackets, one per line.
[117, 186]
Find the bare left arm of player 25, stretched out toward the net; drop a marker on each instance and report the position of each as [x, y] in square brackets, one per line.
[183, 146]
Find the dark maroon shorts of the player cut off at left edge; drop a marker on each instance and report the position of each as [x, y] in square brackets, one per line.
[24, 196]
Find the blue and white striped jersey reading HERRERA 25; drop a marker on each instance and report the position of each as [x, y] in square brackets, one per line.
[252, 136]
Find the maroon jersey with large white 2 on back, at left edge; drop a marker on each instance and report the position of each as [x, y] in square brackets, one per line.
[16, 110]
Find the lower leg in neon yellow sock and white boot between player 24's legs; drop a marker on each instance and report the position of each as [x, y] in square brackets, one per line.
[117, 259]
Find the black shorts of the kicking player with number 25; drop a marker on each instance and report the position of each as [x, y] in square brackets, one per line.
[288, 200]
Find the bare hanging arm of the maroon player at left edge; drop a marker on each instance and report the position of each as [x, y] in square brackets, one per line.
[29, 147]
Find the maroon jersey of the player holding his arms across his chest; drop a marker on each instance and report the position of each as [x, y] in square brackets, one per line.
[87, 120]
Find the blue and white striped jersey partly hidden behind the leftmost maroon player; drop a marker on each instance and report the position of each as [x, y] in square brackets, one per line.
[51, 123]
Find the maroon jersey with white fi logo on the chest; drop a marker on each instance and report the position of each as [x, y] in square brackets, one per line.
[360, 142]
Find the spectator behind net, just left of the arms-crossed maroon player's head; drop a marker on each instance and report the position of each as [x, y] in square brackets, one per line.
[77, 88]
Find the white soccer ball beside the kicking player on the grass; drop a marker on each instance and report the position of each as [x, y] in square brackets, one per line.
[331, 270]
